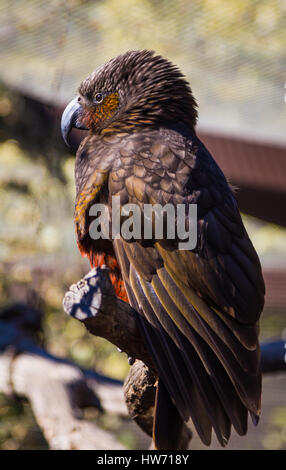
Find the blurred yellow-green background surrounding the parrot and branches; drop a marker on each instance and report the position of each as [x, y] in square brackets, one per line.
[234, 55]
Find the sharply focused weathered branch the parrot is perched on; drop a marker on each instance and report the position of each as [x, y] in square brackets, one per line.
[92, 301]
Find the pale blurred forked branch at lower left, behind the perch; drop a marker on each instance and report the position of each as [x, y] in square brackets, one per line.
[57, 389]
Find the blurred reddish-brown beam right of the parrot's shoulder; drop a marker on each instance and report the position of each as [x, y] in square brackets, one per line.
[257, 170]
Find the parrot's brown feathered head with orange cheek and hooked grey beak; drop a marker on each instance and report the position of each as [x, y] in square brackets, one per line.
[135, 89]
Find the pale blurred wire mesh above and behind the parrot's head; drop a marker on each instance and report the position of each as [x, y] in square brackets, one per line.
[233, 53]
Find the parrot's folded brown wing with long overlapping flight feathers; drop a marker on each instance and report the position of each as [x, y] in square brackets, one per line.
[202, 306]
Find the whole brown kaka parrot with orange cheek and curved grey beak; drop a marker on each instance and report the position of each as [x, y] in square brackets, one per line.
[198, 309]
